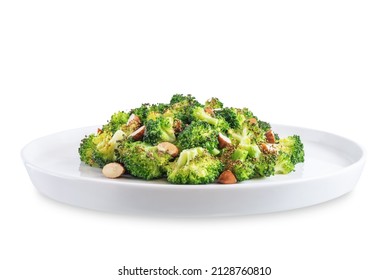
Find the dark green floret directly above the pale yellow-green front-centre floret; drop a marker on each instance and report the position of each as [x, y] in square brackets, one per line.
[199, 134]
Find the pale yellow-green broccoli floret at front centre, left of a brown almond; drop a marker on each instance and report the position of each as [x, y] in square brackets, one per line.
[194, 166]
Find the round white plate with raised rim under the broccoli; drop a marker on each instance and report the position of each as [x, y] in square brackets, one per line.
[332, 168]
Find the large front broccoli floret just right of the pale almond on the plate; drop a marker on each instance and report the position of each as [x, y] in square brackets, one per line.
[143, 160]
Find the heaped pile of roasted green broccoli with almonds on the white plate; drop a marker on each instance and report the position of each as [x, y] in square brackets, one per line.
[187, 142]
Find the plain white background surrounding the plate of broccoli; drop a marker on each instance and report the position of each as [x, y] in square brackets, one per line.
[319, 64]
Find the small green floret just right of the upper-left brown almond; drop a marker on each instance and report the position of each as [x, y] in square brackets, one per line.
[159, 130]
